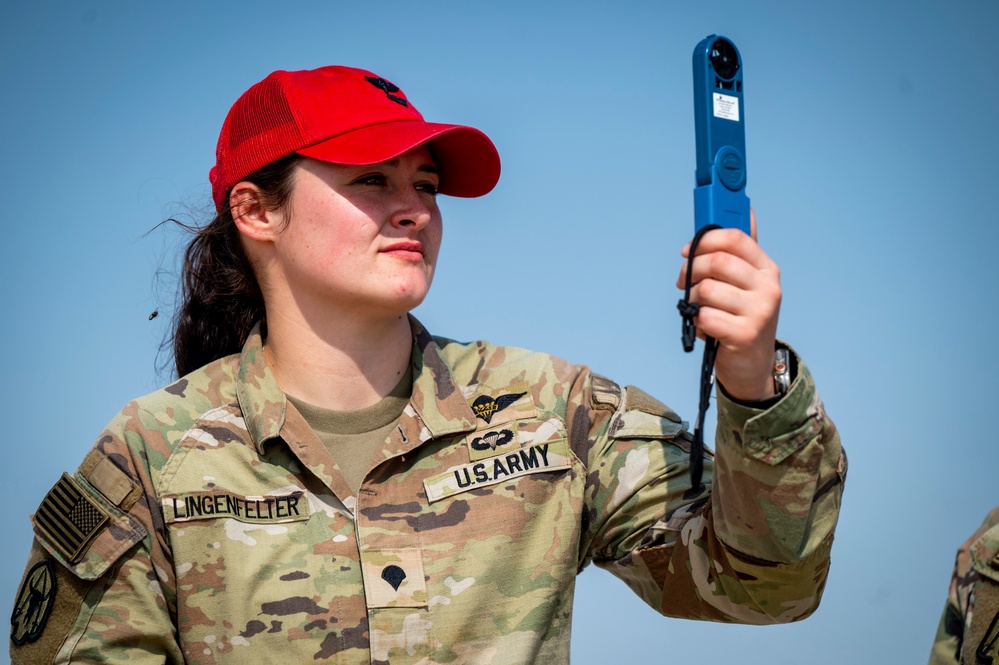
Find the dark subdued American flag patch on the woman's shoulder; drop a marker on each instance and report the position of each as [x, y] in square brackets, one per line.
[69, 519]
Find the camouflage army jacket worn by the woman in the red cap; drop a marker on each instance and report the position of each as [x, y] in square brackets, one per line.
[232, 536]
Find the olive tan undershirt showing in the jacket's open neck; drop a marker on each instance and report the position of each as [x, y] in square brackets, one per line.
[356, 438]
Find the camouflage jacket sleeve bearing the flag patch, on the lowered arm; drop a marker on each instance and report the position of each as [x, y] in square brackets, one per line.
[98, 582]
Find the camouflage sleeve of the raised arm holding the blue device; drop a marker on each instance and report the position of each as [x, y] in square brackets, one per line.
[752, 546]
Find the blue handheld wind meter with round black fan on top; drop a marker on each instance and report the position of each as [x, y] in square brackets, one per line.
[720, 122]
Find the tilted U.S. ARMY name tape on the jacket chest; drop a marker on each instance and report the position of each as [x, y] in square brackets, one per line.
[550, 456]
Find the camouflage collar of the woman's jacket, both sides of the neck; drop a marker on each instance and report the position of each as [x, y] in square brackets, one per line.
[437, 399]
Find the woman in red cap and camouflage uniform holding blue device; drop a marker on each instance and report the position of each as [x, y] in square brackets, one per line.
[329, 481]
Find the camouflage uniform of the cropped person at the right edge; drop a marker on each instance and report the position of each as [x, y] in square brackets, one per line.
[969, 627]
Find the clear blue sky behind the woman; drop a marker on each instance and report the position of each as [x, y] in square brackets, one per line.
[872, 147]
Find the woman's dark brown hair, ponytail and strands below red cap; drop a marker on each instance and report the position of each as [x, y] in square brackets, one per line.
[220, 298]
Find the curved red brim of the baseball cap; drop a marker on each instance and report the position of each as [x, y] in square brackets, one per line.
[467, 160]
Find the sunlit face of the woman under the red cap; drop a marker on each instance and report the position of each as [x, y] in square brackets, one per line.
[361, 239]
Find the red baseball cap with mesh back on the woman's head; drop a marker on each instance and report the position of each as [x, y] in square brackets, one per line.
[343, 115]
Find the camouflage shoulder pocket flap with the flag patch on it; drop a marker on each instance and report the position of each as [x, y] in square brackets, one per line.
[81, 529]
